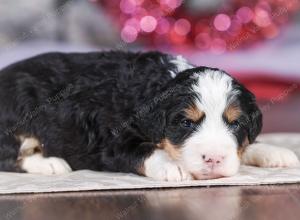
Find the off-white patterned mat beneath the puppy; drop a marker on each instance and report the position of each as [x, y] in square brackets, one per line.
[89, 180]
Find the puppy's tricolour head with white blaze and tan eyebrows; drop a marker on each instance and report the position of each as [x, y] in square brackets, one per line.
[206, 121]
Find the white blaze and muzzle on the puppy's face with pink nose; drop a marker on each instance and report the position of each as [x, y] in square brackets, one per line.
[211, 151]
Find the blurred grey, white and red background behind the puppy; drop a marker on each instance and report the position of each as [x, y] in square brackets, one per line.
[257, 41]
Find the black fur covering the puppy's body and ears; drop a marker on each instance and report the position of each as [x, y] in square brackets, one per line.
[99, 111]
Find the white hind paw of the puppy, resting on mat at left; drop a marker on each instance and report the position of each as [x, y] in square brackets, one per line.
[47, 166]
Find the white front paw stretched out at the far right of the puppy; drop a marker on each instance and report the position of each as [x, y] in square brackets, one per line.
[265, 155]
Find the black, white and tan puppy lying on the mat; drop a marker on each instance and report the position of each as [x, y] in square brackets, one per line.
[147, 113]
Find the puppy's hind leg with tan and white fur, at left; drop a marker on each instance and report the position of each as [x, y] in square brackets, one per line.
[32, 160]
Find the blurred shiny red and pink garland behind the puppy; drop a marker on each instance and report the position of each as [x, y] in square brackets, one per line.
[169, 23]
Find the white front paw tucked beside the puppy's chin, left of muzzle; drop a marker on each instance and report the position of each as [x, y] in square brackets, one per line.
[160, 167]
